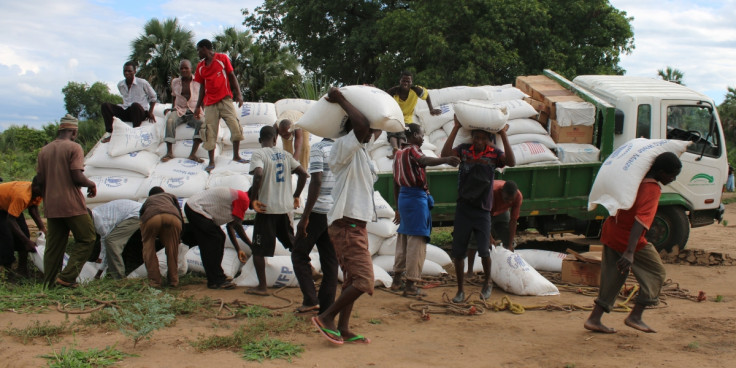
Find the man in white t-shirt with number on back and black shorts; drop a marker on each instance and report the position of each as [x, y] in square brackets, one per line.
[271, 197]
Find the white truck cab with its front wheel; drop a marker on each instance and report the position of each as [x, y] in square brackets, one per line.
[657, 109]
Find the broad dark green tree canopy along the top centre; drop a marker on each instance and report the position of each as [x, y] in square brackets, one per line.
[446, 42]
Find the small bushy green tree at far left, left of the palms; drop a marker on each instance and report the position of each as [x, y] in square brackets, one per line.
[83, 100]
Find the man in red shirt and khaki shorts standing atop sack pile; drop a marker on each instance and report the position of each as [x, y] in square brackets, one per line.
[215, 74]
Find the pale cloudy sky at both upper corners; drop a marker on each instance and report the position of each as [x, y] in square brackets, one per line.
[46, 43]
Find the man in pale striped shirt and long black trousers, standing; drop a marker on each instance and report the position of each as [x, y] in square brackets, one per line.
[312, 229]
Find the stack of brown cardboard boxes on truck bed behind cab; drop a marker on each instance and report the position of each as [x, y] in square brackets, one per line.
[544, 94]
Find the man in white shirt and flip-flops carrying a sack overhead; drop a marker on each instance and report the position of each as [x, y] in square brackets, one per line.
[353, 207]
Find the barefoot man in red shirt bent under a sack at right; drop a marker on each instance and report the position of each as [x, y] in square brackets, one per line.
[626, 249]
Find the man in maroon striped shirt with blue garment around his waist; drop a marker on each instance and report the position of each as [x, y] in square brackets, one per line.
[413, 203]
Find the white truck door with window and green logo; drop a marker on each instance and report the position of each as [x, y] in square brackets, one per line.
[704, 163]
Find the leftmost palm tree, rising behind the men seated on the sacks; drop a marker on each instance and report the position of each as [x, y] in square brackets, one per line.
[158, 51]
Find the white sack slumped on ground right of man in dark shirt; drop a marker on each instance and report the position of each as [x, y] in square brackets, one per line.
[512, 274]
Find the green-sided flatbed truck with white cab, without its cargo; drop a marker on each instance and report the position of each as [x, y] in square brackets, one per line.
[556, 196]
